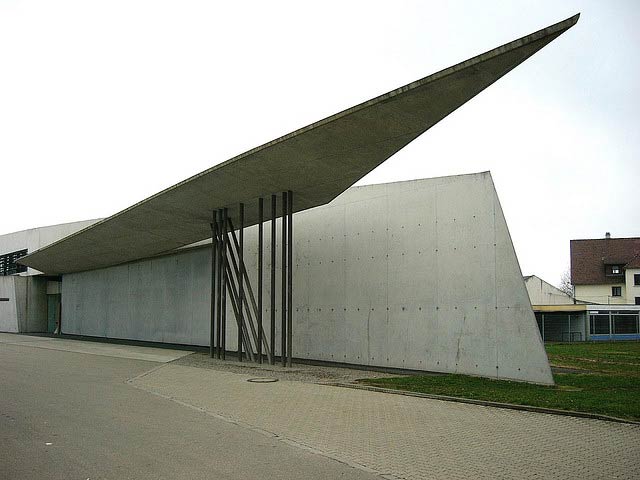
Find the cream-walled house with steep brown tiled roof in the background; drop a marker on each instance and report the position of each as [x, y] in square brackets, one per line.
[606, 270]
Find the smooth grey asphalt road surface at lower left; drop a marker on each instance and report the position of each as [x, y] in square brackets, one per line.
[67, 415]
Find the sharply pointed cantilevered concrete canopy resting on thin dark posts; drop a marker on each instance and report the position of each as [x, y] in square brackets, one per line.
[316, 162]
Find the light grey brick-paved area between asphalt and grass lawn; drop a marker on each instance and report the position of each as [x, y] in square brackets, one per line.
[406, 437]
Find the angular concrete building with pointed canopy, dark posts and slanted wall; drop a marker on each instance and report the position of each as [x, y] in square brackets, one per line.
[418, 275]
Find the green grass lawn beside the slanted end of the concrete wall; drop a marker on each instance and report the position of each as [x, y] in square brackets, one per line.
[610, 384]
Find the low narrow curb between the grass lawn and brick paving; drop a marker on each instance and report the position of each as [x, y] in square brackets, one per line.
[485, 403]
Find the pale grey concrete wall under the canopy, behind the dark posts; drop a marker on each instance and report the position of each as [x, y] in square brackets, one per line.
[419, 274]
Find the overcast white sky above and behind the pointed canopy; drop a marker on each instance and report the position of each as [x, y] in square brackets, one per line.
[103, 104]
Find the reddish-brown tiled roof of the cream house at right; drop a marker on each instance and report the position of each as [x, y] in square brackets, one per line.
[589, 257]
